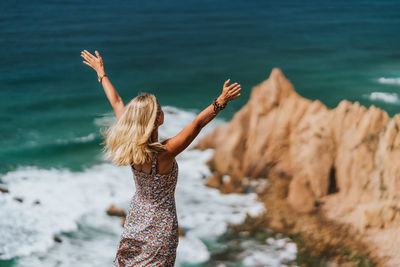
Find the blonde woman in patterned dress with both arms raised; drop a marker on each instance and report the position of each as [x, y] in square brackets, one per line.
[150, 235]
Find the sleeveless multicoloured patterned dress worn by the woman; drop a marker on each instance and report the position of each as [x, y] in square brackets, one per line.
[150, 235]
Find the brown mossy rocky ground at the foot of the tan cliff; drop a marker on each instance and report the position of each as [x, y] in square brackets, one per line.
[333, 243]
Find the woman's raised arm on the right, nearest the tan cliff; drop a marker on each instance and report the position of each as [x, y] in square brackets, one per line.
[182, 140]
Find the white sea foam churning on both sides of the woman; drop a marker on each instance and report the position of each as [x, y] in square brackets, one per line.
[74, 203]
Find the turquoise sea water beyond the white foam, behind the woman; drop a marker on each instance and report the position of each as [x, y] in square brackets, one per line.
[52, 107]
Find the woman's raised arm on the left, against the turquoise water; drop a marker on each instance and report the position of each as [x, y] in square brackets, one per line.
[97, 64]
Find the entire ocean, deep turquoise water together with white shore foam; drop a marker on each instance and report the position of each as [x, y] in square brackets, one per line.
[52, 107]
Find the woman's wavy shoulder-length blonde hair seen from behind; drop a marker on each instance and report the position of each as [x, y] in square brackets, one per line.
[128, 140]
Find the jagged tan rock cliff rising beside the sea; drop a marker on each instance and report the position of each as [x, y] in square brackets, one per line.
[342, 162]
